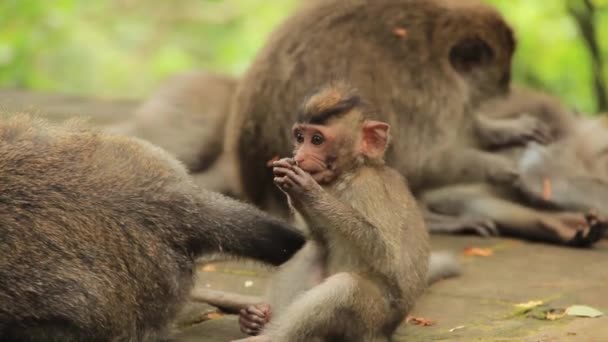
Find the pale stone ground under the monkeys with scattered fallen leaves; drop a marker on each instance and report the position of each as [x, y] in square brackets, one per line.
[477, 306]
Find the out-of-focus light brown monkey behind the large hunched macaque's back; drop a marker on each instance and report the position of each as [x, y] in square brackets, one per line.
[186, 117]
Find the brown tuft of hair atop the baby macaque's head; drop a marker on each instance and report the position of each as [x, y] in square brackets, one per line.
[330, 101]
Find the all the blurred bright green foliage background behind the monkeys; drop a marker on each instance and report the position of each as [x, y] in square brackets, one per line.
[125, 48]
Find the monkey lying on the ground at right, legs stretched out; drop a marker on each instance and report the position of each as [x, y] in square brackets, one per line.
[573, 168]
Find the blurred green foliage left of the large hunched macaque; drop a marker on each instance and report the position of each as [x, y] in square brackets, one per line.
[125, 47]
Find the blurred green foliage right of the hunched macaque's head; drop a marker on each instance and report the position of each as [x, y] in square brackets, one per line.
[551, 54]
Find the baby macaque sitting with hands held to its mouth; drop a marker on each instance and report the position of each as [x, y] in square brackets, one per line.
[367, 258]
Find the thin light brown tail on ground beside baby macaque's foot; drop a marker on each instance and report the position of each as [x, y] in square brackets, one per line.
[226, 301]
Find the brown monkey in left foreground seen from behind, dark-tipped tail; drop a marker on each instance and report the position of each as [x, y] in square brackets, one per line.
[100, 233]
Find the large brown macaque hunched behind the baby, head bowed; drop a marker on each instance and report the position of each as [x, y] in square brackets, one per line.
[426, 65]
